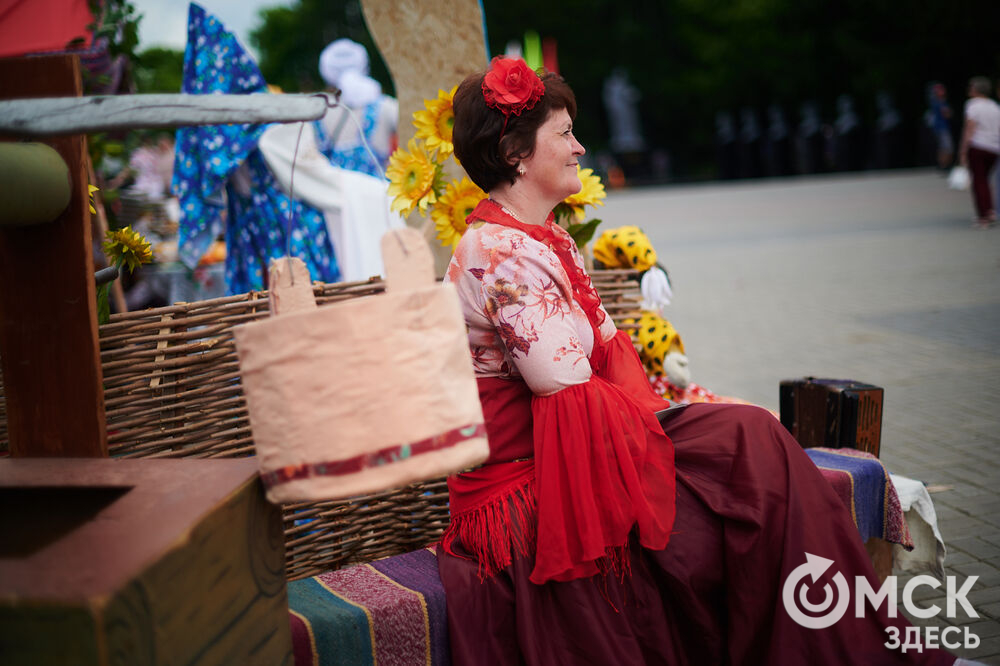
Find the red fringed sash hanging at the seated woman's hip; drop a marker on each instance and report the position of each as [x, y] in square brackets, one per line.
[495, 532]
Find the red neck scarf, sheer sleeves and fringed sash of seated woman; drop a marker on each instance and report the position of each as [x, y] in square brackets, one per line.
[571, 473]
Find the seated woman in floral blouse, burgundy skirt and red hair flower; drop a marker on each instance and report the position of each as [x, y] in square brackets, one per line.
[600, 531]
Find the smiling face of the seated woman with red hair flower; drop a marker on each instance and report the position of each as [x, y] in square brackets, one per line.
[551, 169]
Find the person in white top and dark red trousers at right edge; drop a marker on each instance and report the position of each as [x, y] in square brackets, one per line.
[980, 147]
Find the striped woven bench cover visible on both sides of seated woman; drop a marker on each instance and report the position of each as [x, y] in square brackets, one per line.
[392, 612]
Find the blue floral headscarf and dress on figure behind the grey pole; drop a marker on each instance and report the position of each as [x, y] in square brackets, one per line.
[253, 215]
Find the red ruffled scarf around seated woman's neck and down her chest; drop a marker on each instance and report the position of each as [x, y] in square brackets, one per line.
[562, 244]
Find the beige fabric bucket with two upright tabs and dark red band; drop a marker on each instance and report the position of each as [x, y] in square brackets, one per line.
[364, 395]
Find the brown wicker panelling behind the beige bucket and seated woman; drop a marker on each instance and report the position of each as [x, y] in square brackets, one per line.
[172, 390]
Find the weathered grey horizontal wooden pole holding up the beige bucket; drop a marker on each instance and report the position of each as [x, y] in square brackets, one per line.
[75, 115]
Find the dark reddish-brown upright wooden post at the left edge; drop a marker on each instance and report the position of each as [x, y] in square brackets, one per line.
[49, 347]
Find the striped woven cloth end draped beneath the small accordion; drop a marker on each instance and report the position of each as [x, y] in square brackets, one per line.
[862, 483]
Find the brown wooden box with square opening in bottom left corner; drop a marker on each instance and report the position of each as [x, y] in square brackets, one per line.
[140, 562]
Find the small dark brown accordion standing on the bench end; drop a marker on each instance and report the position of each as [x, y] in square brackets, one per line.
[835, 413]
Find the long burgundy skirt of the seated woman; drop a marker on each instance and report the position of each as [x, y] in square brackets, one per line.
[750, 505]
